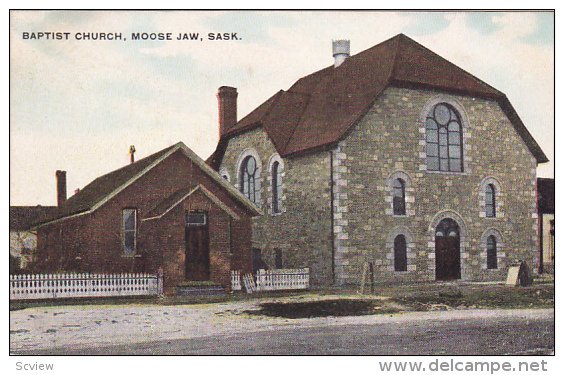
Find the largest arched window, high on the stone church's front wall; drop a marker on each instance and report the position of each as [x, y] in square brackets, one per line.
[443, 130]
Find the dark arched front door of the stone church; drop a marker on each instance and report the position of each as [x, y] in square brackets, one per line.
[447, 250]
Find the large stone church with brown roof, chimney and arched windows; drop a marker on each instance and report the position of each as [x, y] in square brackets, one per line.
[393, 156]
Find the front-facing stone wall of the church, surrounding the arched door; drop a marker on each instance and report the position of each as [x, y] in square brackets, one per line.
[390, 141]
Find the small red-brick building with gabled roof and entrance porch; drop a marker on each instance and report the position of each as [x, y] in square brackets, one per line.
[169, 210]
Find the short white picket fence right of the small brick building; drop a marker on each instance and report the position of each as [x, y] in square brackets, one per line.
[267, 280]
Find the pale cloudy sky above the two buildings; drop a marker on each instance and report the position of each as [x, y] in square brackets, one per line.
[78, 105]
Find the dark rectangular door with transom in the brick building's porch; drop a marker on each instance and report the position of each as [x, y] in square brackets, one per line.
[197, 247]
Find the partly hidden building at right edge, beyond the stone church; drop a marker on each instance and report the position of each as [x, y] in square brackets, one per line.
[545, 189]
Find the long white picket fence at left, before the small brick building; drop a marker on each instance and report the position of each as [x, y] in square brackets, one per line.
[70, 285]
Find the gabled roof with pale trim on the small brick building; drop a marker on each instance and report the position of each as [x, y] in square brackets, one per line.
[102, 189]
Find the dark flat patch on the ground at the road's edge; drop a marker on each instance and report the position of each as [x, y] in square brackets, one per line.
[324, 308]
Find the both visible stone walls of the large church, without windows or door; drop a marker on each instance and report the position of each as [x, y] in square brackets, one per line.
[335, 238]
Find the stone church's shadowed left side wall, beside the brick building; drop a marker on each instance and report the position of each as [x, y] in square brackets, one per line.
[302, 231]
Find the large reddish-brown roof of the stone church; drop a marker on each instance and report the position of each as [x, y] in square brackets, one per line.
[319, 109]
